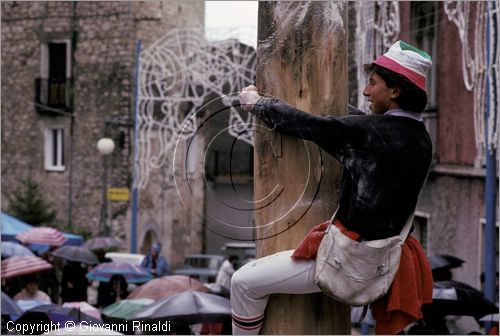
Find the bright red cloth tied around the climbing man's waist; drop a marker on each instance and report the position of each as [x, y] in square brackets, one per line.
[411, 288]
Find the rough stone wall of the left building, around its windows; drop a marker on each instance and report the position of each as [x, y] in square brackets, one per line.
[102, 59]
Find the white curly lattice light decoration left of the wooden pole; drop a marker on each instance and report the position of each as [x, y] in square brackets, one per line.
[178, 74]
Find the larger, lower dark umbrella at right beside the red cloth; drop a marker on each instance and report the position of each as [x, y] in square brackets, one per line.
[457, 298]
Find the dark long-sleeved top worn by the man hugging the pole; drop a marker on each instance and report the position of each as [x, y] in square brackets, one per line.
[386, 160]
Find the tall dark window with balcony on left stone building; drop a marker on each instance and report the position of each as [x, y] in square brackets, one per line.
[53, 87]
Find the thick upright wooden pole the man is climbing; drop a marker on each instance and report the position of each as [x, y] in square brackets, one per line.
[302, 59]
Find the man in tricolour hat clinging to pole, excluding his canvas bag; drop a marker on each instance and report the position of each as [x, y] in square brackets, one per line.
[386, 156]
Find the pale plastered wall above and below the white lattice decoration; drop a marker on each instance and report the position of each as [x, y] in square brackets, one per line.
[177, 223]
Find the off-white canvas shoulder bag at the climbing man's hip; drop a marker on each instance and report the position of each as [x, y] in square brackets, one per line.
[357, 273]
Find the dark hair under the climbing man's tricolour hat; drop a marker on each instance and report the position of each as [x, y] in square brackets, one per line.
[411, 98]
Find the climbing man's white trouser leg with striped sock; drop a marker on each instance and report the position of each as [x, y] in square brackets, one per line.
[252, 284]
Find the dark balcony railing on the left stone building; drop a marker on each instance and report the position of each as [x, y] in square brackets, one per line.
[53, 94]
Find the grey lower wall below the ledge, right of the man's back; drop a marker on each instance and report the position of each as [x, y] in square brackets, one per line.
[455, 205]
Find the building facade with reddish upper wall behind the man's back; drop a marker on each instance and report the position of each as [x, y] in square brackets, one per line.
[451, 214]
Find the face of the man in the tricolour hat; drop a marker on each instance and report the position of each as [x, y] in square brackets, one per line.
[379, 95]
